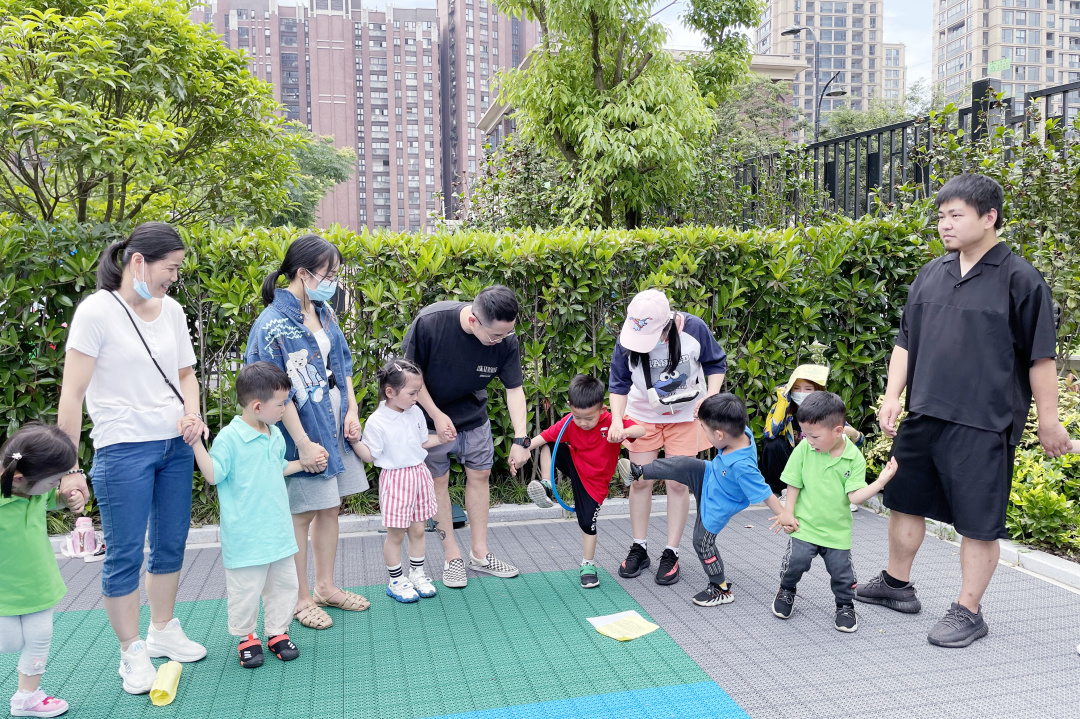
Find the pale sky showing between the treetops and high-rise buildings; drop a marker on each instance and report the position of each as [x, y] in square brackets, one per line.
[908, 23]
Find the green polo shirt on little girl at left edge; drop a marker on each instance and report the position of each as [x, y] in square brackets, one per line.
[31, 578]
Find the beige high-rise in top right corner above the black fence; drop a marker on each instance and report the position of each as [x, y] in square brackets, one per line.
[1038, 40]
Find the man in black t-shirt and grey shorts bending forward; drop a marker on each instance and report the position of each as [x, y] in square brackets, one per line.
[462, 347]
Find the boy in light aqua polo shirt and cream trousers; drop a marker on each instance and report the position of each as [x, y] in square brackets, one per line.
[248, 466]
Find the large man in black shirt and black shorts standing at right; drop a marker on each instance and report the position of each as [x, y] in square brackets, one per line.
[977, 342]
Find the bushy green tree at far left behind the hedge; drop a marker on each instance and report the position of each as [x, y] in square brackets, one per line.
[112, 112]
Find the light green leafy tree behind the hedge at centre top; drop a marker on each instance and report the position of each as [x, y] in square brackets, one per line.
[601, 94]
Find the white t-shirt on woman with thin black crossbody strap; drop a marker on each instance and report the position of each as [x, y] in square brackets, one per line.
[128, 400]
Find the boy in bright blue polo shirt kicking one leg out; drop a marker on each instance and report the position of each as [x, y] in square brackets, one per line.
[724, 486]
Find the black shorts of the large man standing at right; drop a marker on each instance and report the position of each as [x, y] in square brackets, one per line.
[953, 473]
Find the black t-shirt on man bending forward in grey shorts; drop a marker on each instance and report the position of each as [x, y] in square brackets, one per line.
[457, 368]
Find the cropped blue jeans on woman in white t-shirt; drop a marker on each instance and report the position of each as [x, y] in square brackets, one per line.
[137, 483]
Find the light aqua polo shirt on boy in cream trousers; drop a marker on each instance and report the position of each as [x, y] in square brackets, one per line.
[256, 524]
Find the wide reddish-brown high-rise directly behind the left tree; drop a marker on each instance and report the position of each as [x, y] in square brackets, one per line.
[369, 78]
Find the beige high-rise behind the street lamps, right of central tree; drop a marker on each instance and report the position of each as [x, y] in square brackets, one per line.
[852, 49]
